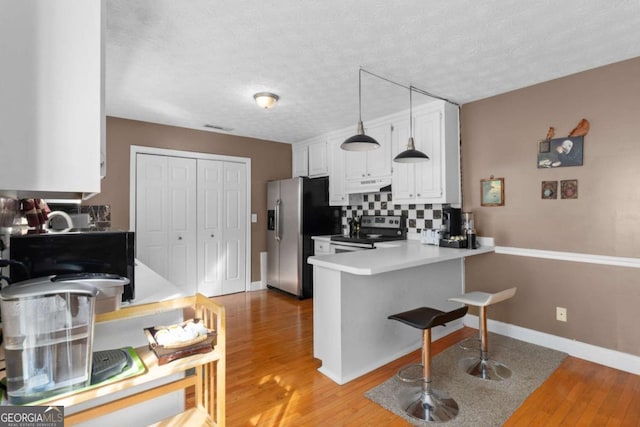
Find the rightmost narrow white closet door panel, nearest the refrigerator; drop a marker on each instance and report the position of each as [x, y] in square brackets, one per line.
[235, 227]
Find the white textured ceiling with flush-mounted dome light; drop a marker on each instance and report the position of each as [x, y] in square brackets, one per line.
[196, 62]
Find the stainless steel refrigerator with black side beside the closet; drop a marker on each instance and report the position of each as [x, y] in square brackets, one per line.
[297, 209]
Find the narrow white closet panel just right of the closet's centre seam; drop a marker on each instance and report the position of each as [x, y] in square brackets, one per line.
[210, 233]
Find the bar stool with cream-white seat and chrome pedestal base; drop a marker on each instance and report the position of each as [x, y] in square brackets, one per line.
[482, 366]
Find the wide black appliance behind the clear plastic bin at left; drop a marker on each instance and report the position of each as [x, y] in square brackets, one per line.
[111, 252]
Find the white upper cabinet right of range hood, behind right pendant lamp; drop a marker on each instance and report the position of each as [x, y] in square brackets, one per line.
[436, 135]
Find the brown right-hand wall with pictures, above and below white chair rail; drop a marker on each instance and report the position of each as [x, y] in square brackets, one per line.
[500, 137]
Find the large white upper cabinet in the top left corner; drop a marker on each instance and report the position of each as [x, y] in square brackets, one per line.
[52, 103]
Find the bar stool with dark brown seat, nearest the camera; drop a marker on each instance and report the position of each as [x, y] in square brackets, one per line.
[429, 405]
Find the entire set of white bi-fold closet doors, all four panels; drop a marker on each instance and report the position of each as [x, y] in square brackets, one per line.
[191, 221]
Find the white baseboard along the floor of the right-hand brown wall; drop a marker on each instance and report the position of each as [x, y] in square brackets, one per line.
[603, 356]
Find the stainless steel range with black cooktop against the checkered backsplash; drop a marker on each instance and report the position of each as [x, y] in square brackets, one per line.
[373, 229]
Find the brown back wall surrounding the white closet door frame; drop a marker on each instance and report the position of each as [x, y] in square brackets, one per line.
[269, 161]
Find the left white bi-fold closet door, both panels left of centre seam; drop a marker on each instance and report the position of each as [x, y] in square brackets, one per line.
[165, 217]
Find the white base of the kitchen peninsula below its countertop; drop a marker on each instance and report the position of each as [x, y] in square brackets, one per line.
[355, 337]
